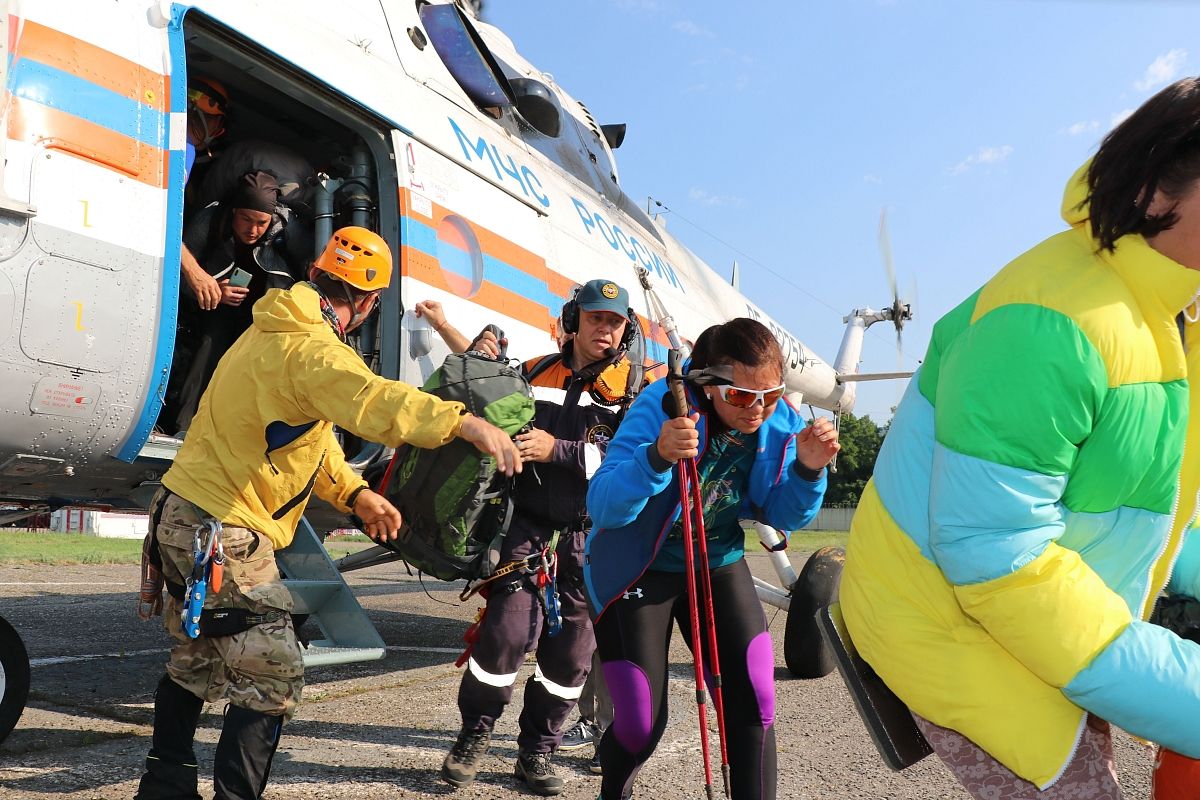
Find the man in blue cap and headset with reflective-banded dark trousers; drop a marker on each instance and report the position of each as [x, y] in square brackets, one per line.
[581, 394]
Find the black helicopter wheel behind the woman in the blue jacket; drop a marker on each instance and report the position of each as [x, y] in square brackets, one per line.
[805, 652]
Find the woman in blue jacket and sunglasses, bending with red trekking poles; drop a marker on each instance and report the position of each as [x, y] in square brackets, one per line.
[757, 459]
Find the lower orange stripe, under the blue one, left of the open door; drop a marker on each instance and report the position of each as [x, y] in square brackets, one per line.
[50, 128]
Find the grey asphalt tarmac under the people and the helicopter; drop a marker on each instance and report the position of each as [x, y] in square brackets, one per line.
[380, 730]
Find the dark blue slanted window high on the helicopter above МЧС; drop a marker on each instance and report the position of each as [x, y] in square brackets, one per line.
[466, 57]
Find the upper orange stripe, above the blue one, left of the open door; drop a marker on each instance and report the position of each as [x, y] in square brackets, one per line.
[93, 64]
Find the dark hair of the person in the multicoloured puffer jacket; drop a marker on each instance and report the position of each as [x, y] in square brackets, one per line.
[1156, 149]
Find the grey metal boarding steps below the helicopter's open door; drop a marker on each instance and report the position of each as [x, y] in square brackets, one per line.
[317, 588]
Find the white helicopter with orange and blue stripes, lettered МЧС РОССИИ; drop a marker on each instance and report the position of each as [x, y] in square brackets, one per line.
[497, 191]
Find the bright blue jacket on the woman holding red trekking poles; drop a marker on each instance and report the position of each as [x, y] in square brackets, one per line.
[633, 506]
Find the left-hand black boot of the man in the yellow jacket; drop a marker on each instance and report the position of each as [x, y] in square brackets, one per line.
[171, 766]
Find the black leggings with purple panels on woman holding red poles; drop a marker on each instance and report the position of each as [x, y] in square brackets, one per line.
[633, 640]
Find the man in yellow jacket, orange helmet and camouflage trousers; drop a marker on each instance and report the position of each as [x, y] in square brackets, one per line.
[261, 443]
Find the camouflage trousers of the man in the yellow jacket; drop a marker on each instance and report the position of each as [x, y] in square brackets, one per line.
[261, 669]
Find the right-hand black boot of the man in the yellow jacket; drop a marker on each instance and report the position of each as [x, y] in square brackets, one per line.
[244, 754]
